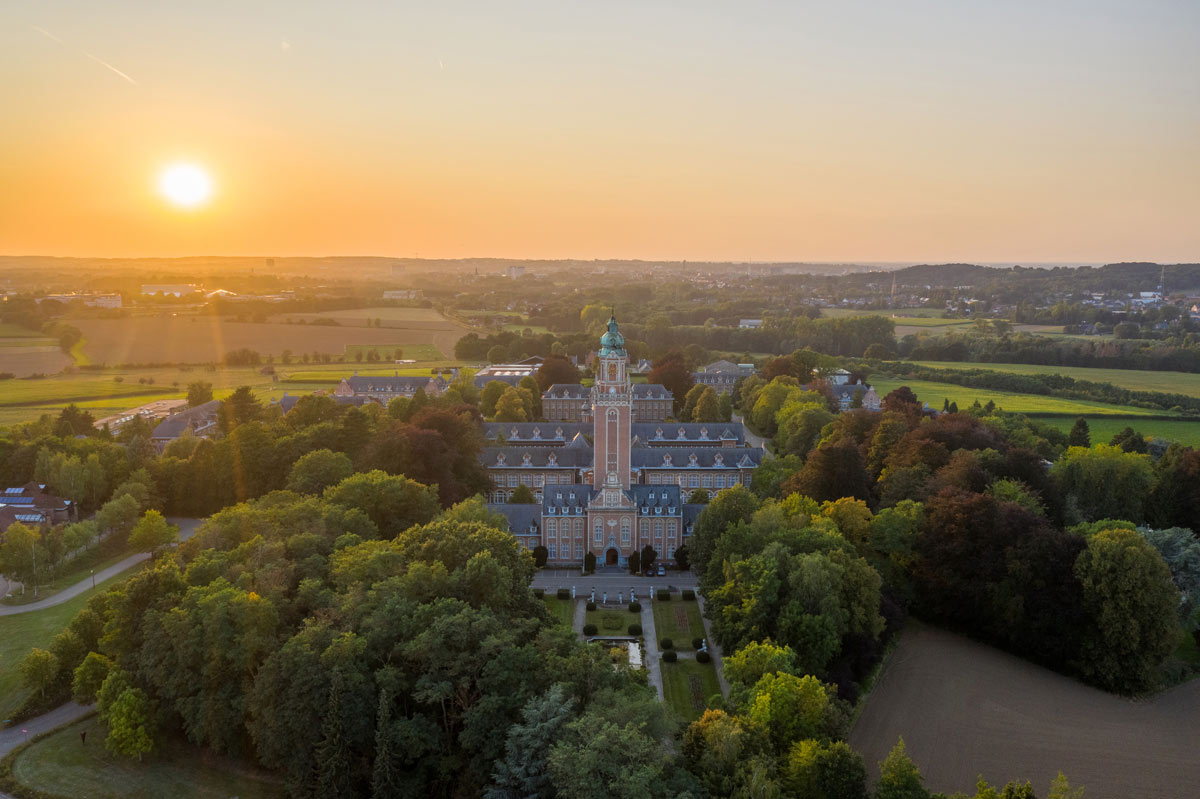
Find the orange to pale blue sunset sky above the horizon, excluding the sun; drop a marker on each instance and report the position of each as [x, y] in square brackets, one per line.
[927, 130]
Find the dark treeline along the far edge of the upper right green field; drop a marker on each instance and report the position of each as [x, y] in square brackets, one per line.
[1180, 356]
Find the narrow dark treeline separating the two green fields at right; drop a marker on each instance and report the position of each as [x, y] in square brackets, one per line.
[1054, 386]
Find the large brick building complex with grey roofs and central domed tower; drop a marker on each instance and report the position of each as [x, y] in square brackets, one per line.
[609, 473]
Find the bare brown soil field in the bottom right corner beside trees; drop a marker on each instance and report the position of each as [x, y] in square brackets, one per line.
[967, 710]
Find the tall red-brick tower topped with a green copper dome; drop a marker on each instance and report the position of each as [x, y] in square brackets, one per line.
[613, 412]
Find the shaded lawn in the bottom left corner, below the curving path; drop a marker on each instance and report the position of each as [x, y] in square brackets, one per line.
[62, 764]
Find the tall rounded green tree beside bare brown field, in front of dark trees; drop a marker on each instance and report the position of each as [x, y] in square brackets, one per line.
[1132, 604]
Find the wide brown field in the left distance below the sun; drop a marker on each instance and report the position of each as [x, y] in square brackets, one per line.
[206, 340]
